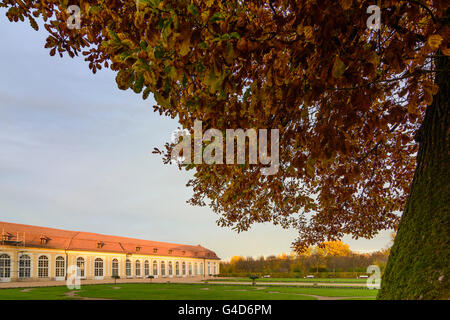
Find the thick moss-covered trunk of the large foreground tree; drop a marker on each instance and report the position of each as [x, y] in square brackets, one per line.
[418, 265]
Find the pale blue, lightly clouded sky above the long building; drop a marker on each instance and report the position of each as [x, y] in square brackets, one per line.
[75, 153]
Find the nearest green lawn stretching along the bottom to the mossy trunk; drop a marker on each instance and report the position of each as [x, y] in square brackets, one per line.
[185, 292]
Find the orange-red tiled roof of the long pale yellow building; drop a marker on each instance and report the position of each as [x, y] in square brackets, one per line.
[30, 236]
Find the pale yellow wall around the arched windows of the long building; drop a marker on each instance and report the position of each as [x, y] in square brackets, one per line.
[71, 256]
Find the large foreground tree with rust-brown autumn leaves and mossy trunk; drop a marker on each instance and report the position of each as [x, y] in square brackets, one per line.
[362, 113]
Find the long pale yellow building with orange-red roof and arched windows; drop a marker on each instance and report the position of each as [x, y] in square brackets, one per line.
[31, 253]
